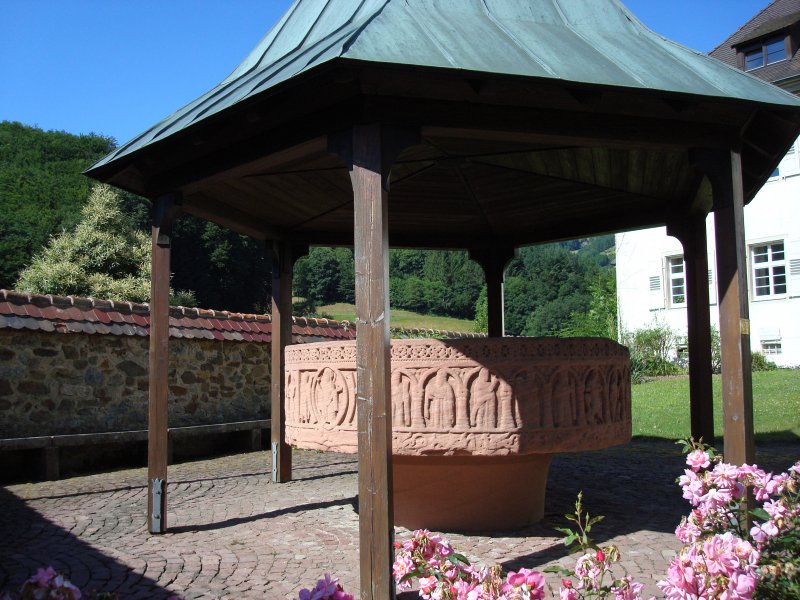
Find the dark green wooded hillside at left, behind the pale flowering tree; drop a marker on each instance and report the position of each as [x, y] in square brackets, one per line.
[42, 192]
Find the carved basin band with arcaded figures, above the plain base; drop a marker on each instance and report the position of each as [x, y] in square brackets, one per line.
[443, 395]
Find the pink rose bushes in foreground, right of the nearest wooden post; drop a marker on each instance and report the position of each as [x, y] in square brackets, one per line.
[729, 553]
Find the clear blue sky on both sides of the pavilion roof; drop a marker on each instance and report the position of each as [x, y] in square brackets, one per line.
[117, 67]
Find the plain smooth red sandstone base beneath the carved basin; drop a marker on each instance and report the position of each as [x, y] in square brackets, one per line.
[469, 493]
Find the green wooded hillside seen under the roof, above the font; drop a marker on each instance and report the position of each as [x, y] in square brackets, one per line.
[545, 285]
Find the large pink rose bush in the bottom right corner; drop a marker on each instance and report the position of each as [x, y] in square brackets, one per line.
[722, 557]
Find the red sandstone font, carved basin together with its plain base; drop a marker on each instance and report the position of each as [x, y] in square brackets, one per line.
[463, 411]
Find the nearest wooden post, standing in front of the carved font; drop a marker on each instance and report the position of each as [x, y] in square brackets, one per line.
[369, 151]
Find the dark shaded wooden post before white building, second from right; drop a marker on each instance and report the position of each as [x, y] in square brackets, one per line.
[691, 231]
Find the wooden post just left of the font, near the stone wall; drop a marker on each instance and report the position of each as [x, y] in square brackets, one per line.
[283, 258]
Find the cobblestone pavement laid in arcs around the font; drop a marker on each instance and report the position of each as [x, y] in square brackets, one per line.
[234, 534]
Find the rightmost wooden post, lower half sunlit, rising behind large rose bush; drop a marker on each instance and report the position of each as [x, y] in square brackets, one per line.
[725, 173]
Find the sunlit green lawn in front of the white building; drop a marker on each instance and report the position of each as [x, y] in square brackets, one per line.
[661, 406]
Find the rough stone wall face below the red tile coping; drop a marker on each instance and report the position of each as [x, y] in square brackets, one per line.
[54, 384]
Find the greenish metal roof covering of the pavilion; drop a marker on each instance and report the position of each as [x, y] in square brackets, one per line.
[599, 42]
